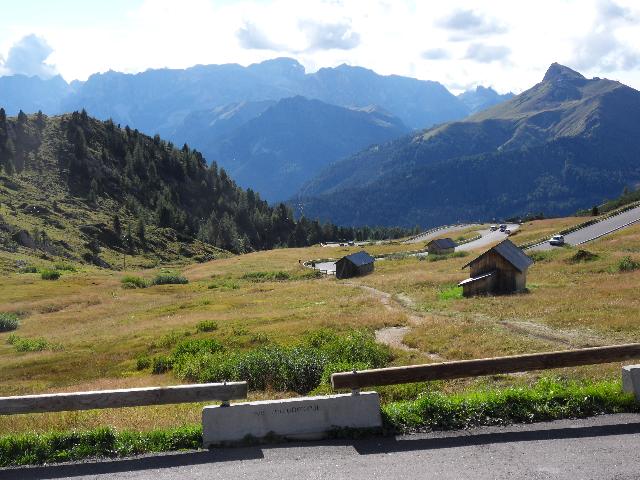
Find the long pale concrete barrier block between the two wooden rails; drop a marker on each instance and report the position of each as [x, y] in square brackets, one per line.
[302, 418]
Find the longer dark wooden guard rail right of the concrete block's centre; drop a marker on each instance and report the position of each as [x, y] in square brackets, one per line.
[485, 366]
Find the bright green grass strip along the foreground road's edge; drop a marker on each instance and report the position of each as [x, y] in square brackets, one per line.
[548, 399]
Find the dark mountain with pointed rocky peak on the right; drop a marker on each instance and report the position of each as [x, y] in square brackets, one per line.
[564, 144]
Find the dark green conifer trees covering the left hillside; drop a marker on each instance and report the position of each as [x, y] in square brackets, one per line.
[161, 184]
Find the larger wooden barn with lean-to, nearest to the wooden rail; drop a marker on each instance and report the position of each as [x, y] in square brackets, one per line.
[500, 270]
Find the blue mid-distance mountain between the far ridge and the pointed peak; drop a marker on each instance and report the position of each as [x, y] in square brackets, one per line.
[292, 140]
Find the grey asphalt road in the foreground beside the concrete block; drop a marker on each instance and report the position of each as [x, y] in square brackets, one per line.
[598, 448]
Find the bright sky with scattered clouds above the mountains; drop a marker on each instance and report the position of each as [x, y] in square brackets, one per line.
[504, 44]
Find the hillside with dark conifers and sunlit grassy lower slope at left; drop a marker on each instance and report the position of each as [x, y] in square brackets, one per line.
[74, 186]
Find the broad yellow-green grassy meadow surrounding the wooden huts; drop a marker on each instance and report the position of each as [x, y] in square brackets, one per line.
[89, 330]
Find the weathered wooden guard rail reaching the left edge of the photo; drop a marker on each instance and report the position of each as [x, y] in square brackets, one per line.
[133, 397]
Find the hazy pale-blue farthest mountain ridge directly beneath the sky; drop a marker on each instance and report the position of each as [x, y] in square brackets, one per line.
[156, 101]
